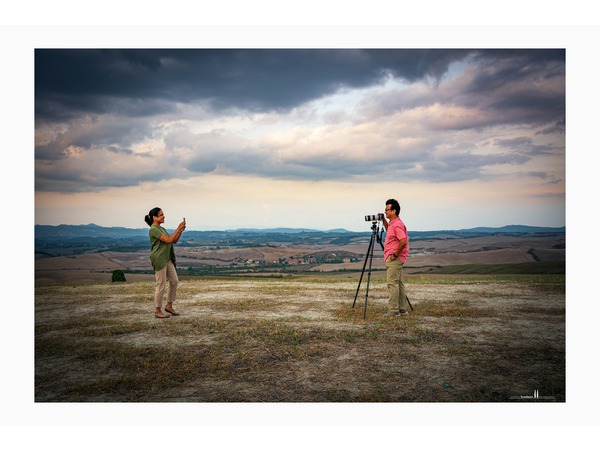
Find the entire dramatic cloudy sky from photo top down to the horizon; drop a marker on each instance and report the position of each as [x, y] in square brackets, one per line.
[300, 138]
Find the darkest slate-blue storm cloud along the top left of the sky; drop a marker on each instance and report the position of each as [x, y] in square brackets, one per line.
[140, 82]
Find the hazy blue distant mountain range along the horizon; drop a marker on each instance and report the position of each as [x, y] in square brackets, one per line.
[92, 231]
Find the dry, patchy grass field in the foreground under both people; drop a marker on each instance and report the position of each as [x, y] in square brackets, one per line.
[298, 339]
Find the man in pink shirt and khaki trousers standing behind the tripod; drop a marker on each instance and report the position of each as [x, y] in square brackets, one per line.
[395, 253]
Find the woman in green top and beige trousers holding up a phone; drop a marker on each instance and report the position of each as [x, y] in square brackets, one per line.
[162, 257]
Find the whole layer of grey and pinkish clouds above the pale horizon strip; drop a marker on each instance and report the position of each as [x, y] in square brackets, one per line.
[121, 117]
